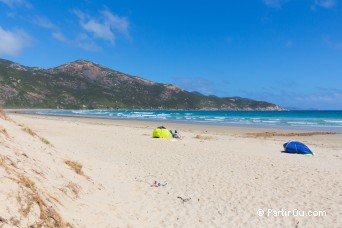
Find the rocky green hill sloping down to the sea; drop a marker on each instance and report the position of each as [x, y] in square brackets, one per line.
[87, 85]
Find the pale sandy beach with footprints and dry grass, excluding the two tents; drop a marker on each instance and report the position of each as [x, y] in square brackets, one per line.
[81, 172]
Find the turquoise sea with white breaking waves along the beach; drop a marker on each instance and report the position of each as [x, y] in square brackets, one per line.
[303, 120]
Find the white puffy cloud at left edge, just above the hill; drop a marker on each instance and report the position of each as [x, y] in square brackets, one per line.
[12, 42]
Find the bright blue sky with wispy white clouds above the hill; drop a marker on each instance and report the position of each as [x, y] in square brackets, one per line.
[288, 52]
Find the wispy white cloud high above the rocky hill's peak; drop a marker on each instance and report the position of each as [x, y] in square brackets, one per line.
[105, 26]
